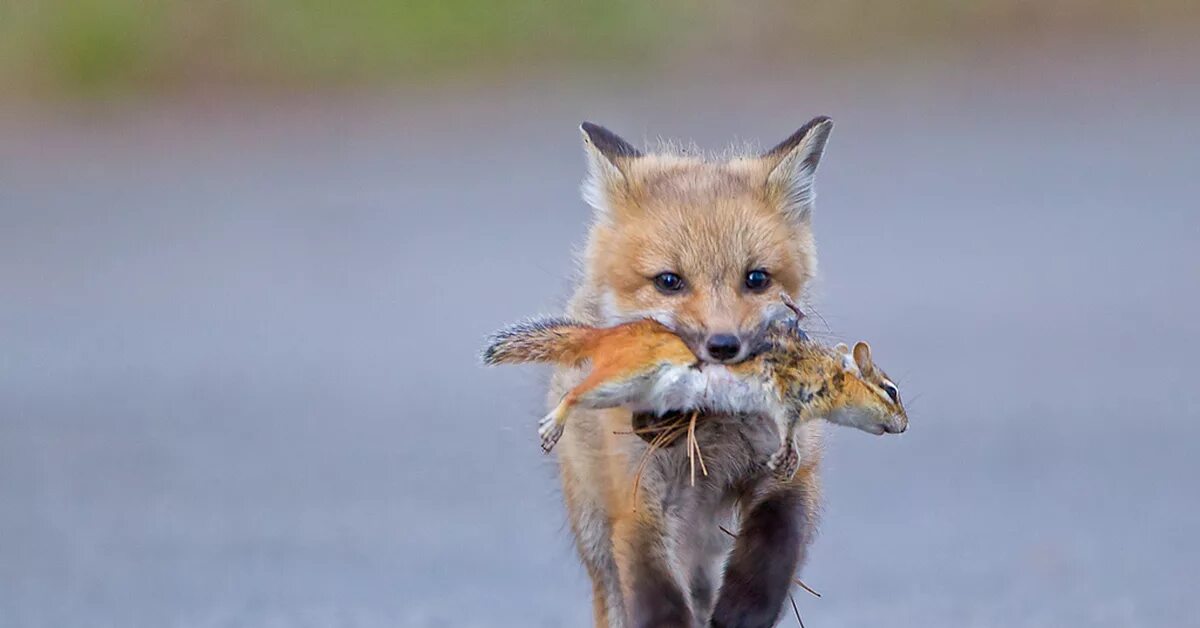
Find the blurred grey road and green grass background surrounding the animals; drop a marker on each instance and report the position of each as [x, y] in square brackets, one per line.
[249, 253]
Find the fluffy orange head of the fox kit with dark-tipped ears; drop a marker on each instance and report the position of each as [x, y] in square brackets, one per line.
[704, 247]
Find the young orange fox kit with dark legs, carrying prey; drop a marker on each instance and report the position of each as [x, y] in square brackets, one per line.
[701, 246]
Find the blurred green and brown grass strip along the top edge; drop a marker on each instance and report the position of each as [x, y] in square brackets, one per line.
[97, 47]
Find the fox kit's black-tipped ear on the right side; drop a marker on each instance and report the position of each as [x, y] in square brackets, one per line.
[794, 166]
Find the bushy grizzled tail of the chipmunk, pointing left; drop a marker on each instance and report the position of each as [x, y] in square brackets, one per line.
[541, 340]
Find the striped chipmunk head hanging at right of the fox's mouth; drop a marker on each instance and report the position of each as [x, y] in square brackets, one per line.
[873, 400]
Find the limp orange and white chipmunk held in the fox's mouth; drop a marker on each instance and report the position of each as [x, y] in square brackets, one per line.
[647, 368]
